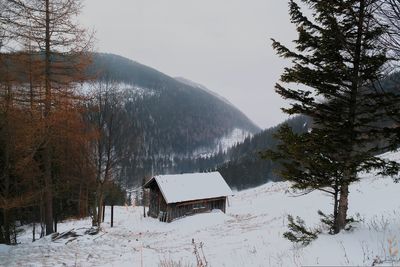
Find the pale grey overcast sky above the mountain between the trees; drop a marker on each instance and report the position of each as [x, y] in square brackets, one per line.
[223, 44]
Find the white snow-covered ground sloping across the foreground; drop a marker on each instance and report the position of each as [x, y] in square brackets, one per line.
[250, 234]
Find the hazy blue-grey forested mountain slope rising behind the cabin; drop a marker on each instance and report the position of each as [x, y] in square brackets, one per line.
[173, 119]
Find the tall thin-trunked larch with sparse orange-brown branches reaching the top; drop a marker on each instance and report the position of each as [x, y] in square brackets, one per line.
[51, 28]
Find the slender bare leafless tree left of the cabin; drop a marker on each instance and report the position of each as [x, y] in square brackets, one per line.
[111, 146]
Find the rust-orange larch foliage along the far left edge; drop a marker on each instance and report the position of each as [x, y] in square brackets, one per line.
[18, 143]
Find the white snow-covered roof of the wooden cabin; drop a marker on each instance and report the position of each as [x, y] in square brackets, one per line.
[191, 186]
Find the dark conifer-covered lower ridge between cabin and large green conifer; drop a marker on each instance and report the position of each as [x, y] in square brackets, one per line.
[241, 165]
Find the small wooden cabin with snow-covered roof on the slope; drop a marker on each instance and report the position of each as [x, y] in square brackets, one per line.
[175, 196]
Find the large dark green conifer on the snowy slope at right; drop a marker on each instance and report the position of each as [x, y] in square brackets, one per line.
[335, 63]
